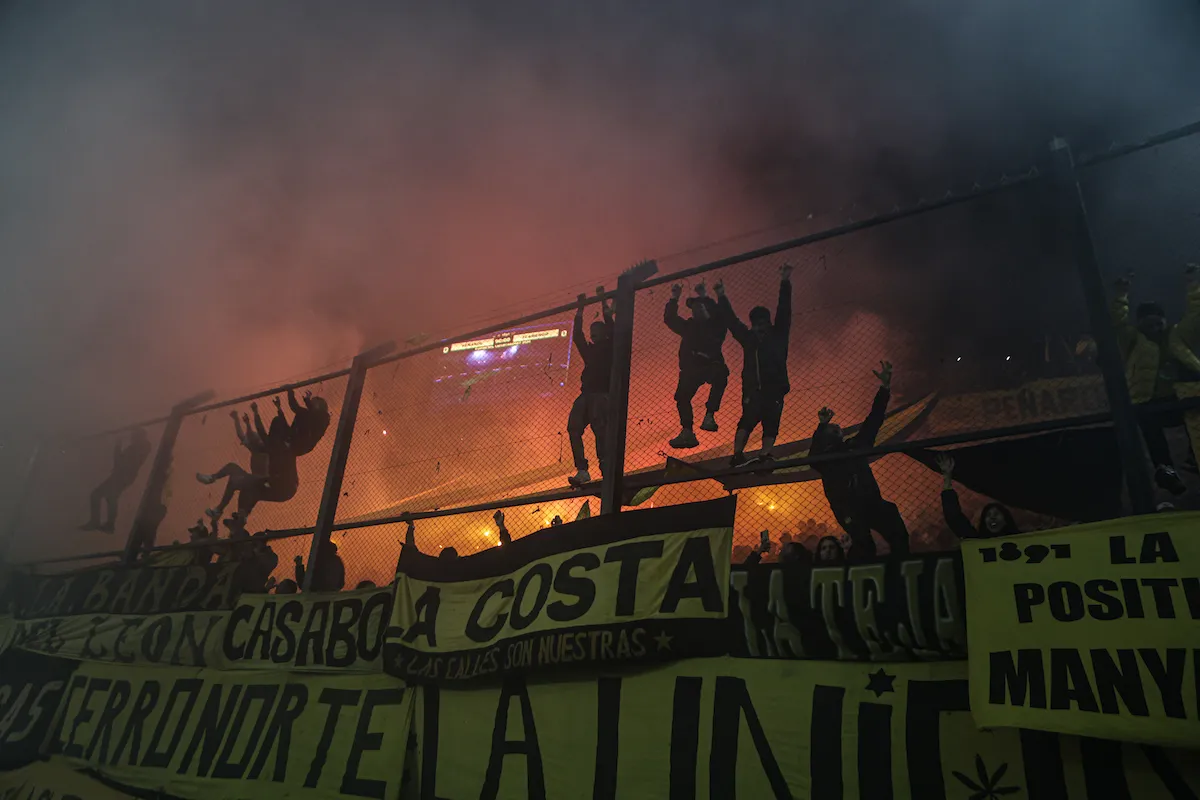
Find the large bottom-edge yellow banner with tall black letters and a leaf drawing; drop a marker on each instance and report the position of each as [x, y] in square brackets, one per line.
[746, 729]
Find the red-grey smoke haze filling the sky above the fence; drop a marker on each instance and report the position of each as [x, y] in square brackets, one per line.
[227, 196]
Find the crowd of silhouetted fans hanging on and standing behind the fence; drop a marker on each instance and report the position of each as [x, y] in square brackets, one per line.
[1157, 357]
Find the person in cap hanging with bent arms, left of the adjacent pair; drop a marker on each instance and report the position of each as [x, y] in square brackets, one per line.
[701, 360]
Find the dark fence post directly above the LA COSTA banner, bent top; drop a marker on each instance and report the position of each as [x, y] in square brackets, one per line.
[619, 384]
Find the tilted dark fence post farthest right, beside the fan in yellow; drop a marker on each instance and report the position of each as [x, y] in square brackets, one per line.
[1125, 418]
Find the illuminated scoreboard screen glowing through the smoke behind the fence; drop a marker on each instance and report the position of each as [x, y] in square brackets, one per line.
[521, 363]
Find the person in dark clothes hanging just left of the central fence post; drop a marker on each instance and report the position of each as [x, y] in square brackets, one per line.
[591, 408]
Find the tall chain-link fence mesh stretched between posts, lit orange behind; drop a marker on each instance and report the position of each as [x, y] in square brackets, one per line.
[976, 304]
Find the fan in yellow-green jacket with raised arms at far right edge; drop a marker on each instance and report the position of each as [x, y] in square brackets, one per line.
[1159, 358]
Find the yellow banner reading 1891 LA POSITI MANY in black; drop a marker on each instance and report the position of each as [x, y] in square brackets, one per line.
[1089, 630]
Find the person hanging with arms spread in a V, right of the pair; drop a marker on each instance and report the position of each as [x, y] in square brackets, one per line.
[764, 366]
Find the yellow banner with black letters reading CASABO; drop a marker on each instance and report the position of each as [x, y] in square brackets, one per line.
[313, 633]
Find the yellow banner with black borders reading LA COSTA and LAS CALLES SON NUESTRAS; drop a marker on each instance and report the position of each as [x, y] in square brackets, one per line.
[650, 586]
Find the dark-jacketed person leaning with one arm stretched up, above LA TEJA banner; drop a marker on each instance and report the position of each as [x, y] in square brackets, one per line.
[850, 485]
